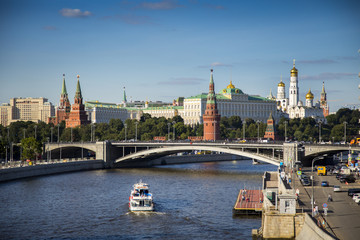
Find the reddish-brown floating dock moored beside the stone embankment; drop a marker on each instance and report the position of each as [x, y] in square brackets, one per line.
[249, 202]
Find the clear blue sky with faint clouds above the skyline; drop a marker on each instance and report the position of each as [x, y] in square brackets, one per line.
[163, 49]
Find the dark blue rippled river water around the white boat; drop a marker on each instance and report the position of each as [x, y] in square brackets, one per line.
[193, 201]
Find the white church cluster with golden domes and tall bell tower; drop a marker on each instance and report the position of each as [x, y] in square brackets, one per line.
[293, 106]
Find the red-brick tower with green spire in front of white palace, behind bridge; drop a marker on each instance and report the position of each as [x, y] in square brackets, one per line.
[211, 117]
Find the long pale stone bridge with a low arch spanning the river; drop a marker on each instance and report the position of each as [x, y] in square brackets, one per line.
[124, 154]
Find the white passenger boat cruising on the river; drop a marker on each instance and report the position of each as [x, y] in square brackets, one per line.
[140, 198]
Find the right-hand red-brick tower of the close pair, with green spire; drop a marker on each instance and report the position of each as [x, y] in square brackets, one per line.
[77, 115]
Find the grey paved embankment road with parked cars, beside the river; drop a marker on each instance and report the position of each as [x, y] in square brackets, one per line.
[343, 214]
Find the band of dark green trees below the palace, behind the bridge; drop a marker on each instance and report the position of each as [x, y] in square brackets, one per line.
[31, 136]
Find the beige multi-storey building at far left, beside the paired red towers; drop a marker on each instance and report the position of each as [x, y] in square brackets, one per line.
[26, 109]
